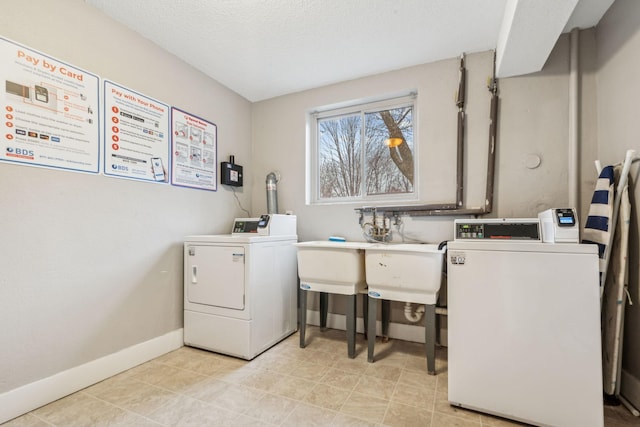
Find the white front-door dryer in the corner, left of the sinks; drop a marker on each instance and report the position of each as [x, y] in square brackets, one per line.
[240, 289]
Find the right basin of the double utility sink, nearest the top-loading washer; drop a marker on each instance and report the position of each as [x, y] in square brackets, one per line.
[404, 272]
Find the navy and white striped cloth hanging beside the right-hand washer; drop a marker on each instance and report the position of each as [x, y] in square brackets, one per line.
[596, 229]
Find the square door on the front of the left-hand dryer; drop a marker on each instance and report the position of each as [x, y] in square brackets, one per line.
[215, 276]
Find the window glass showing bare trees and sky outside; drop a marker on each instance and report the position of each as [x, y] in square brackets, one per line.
[366, 153]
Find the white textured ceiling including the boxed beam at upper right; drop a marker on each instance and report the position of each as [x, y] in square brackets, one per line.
[267, 48]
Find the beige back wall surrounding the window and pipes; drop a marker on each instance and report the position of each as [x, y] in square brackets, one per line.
[533, 120]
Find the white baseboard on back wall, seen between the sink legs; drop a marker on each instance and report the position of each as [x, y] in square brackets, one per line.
[401, 331]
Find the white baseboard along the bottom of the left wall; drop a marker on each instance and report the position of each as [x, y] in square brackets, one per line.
[28, 397]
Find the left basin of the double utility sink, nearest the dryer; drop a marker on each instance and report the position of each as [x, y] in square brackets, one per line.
[333, 267]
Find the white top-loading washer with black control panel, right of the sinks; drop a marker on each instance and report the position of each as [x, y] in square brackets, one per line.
[524, 324]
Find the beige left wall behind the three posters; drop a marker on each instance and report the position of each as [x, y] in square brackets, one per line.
[91, 264]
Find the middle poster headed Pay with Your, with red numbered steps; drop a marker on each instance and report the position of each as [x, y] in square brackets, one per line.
[136, 135]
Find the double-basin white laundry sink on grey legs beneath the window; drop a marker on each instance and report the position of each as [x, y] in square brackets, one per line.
[399, 272]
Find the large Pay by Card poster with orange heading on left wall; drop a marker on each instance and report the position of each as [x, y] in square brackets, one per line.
[50, 111]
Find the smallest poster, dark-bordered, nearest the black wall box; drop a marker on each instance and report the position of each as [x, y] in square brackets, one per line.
[194, 147]
